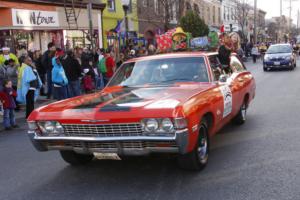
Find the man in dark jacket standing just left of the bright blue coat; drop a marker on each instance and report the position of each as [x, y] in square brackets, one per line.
[47, 64]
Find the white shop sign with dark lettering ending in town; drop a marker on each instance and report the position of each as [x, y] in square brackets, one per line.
[34, 18]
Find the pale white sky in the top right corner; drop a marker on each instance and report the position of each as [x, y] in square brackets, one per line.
[272, 7]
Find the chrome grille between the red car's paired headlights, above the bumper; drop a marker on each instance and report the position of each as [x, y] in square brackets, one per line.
[103, 130]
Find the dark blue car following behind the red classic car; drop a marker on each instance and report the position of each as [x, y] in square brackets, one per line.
[280, 56]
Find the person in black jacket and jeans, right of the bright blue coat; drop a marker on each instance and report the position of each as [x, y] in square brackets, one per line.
[73, 72]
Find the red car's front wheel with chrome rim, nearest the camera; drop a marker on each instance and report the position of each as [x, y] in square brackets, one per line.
[198, 158]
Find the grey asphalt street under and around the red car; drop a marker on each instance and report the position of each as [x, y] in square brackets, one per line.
[259, 160]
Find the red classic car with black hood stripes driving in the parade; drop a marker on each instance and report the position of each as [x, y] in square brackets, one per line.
[170, 103]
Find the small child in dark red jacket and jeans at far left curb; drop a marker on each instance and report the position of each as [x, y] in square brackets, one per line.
[7, 99]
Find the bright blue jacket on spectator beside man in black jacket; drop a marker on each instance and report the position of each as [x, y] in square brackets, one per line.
[58, 74]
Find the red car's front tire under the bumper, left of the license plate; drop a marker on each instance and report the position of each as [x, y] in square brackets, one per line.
[76, 159]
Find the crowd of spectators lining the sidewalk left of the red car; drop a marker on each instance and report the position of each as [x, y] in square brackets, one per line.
[56, 74]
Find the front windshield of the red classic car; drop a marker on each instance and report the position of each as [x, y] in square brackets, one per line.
[161, 71]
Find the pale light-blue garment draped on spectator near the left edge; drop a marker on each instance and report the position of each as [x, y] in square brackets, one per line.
[27, 76]
